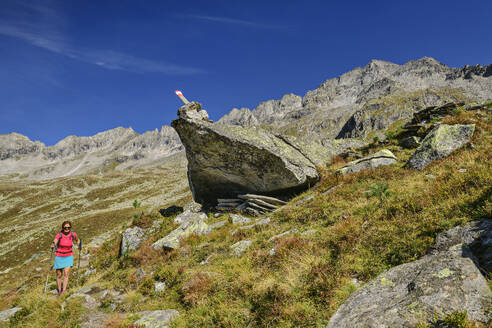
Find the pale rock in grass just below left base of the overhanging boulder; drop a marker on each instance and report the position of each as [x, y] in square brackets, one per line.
[172, 240]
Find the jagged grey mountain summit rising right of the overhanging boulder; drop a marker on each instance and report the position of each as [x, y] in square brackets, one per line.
[323, 112]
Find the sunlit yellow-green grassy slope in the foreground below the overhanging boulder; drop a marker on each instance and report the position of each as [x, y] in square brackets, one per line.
[376, 220]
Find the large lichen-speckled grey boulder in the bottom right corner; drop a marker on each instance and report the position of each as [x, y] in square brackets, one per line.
[444, 281]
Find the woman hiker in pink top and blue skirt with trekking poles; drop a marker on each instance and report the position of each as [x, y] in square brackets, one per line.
[64, 255]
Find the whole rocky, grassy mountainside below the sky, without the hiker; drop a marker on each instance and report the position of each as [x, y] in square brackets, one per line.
[384, 218]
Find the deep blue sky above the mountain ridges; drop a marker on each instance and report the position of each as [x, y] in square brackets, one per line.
[82, 67]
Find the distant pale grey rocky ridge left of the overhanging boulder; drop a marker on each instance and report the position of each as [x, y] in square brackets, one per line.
[119, 149]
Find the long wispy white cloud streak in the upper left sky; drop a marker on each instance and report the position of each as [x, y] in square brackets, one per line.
[42, 26]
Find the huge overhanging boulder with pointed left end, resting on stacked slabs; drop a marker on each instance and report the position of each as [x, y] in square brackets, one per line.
[225, 160]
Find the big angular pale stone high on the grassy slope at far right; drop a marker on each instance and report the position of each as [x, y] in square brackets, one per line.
[441, 141]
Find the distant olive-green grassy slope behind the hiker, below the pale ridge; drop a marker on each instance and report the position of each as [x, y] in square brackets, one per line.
[32, 212]
